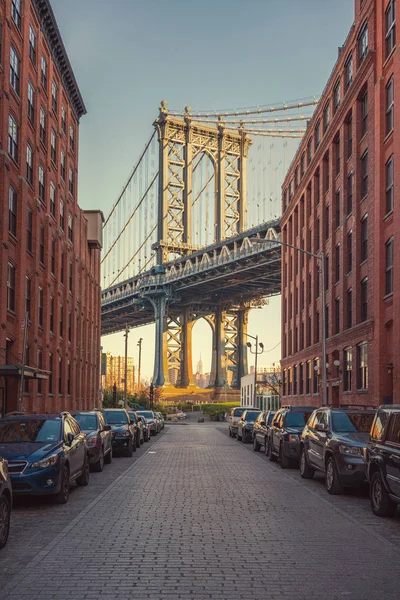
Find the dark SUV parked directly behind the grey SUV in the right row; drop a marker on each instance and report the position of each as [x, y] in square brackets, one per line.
[285, 432]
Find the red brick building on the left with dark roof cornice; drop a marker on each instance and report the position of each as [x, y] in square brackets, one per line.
[49, 247]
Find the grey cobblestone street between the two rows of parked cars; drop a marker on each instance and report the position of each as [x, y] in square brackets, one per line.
[200, 516]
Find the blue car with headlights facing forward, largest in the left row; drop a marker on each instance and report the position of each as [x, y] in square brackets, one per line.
[45, 454]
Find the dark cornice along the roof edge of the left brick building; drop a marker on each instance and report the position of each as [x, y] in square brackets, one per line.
[50, 29]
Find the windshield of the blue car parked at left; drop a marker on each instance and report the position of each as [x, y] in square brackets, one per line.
[30, 430]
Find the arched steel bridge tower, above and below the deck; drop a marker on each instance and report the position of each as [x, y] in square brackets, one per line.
[183, 142]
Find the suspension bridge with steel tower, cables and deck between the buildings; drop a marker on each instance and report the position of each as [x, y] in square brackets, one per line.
[180, 241]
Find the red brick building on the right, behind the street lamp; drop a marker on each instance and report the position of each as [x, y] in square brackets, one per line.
[338, 198]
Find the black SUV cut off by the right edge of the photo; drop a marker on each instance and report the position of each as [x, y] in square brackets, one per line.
[383, 461]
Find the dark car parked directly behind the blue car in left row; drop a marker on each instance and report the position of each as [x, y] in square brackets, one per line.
[98, 437]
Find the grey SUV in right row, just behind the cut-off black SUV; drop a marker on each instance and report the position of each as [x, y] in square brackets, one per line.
[334, 442]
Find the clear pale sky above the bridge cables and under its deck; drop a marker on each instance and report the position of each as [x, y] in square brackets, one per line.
[127, 55]
